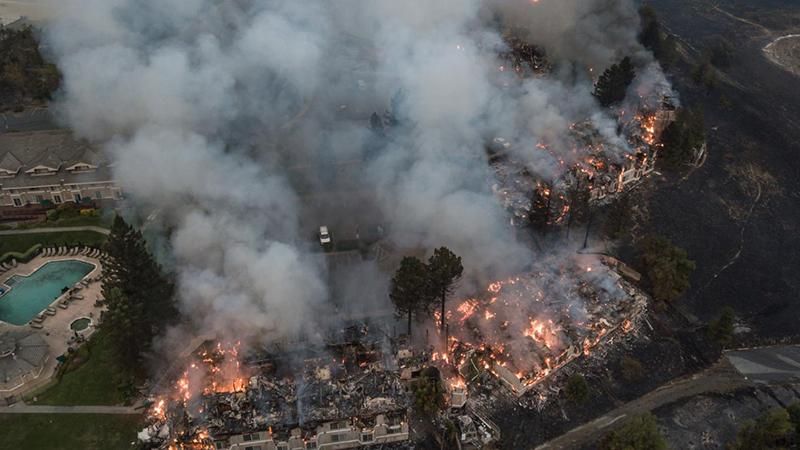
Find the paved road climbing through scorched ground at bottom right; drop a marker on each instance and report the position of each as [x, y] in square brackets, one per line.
[736, 369]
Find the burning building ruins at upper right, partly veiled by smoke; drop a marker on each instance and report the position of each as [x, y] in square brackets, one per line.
[594, 171]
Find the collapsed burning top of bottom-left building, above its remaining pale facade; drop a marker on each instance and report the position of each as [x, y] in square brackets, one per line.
[219, 397]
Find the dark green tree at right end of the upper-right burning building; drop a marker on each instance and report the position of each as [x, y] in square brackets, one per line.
[682, 138]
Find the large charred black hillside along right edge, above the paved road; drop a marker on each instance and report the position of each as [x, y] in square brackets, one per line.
[753, 120]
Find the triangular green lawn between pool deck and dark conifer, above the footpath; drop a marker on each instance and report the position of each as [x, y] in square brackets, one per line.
[90, 377]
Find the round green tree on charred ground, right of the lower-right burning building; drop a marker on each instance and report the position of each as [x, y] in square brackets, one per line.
[667, 266]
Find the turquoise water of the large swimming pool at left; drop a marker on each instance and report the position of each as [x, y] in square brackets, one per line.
[32, 294]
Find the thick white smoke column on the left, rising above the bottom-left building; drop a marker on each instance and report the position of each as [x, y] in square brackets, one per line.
[167, 83]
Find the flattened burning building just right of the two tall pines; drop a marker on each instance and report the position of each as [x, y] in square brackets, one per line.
[526, 328]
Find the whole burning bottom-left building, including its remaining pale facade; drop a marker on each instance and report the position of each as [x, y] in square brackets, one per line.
[344, 397]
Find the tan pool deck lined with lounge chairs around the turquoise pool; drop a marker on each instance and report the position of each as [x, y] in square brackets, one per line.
[56, 329]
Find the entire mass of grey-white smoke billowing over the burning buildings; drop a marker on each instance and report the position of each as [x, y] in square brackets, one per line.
[232, 118]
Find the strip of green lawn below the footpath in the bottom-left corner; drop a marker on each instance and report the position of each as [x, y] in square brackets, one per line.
[68, 431]
